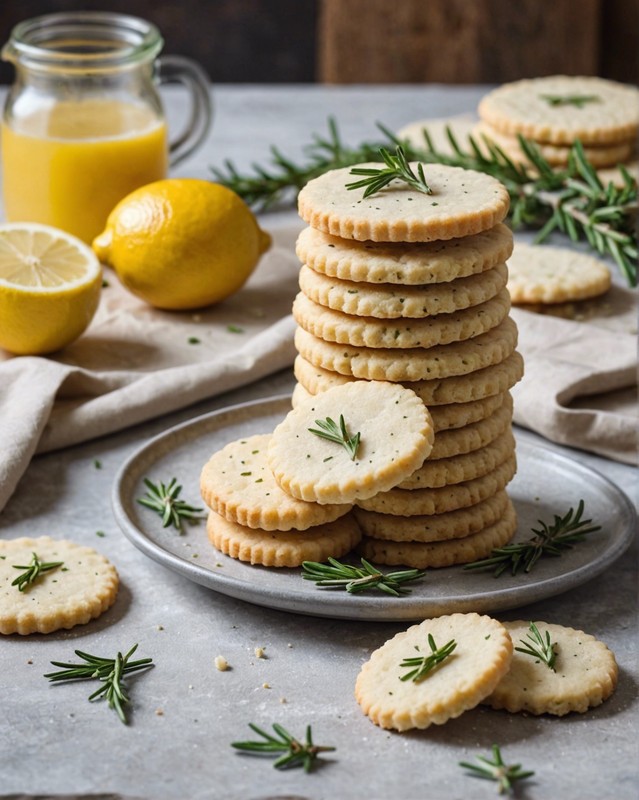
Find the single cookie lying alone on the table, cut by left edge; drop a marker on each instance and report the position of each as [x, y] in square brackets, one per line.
[81, 589]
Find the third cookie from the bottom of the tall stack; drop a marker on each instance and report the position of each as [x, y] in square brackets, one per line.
[408, 502]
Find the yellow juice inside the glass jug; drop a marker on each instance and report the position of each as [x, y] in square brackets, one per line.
[70, 165]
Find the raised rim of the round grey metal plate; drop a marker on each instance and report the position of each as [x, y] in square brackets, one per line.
[369, 608]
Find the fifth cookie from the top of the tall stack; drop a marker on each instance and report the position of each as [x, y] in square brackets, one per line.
[383, 364]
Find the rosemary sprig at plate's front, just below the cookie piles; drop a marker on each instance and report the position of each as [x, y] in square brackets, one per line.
[355, 579]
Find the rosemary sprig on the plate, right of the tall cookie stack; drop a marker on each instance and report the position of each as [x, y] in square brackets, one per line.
[549, 540]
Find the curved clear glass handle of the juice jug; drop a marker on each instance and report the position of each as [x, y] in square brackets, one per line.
[184, 71]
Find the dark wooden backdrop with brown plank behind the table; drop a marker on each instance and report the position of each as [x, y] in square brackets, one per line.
[381, 41]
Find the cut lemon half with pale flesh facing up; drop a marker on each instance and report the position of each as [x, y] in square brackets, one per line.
[49, 288]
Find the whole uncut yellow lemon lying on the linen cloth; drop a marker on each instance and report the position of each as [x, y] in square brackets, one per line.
[182, 243]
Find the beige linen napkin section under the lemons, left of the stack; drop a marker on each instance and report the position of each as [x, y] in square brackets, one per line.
[135, 363]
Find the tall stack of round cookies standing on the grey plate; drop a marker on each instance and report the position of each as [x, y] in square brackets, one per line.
[409, 287]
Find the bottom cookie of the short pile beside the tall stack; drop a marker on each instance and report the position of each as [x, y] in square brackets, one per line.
[283, 548]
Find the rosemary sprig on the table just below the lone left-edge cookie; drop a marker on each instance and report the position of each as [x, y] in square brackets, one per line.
[110, 671]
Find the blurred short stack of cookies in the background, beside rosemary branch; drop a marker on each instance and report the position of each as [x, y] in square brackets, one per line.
[557, 110]
